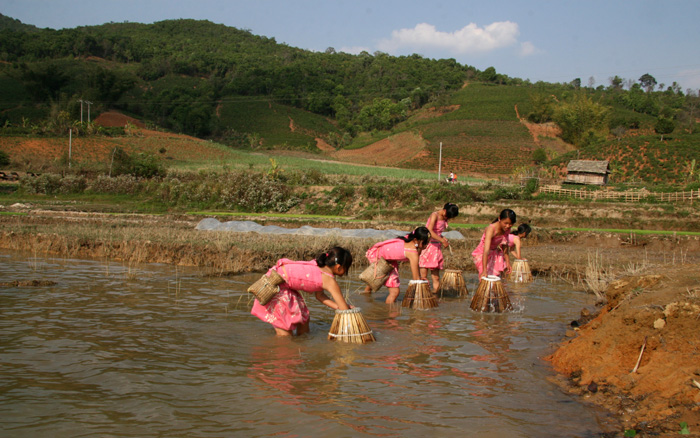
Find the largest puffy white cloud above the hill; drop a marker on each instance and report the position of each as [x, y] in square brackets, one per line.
[470, 39]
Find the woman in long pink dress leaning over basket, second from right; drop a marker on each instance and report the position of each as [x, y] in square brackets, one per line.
[495, 259]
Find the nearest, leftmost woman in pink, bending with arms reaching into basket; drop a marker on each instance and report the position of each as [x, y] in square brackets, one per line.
[287, 310]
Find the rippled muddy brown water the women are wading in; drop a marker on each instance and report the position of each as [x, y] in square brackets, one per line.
[155, 350]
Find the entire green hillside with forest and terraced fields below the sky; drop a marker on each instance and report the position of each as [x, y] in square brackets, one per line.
[250, 92]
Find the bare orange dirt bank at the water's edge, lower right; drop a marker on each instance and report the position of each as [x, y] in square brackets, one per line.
[640, 356]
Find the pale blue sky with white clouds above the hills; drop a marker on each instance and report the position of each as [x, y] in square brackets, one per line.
[548, 40]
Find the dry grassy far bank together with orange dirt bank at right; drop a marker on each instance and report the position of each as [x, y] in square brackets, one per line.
[637, 354]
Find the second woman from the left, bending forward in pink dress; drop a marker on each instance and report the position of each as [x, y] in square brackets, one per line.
[401, 249]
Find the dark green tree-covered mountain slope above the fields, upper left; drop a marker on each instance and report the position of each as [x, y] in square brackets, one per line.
[176, 72]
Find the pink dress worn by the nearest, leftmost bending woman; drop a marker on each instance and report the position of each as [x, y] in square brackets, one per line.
[287, 309]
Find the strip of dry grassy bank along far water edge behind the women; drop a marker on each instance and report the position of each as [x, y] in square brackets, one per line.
[173, 239]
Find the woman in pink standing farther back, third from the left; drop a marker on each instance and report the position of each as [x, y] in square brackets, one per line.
[431, 258]
